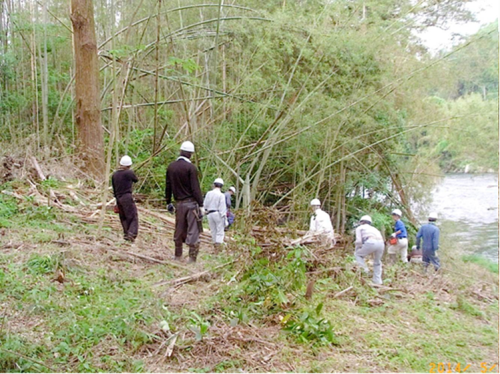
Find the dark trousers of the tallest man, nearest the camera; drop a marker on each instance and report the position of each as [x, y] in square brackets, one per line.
[186, 225]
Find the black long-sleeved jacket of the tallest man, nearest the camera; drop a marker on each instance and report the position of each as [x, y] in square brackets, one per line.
[182, 182]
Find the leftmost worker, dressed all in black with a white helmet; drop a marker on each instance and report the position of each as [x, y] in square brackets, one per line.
[122, 181]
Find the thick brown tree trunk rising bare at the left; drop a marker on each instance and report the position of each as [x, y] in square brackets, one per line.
[88, 112]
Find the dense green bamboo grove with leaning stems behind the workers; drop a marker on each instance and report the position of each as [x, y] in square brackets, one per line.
[287, 100]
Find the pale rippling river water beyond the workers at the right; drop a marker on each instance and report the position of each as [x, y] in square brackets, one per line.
[467, 206]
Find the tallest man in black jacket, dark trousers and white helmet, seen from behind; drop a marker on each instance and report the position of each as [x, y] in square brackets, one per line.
[182, 182]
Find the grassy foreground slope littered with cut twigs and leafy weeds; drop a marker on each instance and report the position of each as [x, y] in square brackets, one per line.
[118, 313]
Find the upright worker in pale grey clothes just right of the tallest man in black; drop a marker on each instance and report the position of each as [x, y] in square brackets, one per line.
[215, 206]
